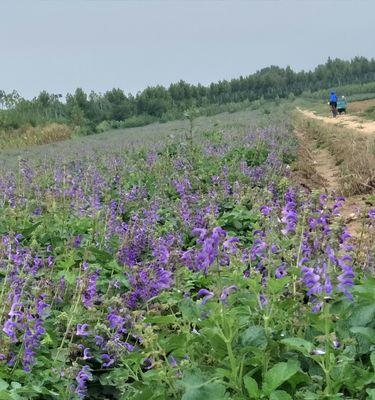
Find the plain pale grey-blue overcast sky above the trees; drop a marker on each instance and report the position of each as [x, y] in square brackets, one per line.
[97, 45]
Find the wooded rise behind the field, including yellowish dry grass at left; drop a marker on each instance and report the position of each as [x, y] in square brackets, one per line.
[52, 117]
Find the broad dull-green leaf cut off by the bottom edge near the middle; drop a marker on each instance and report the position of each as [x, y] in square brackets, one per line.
[197, 388]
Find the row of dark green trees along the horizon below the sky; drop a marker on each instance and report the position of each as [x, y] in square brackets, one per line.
[88, 110]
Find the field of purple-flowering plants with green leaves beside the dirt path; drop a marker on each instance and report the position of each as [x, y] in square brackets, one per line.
[160, 269]
